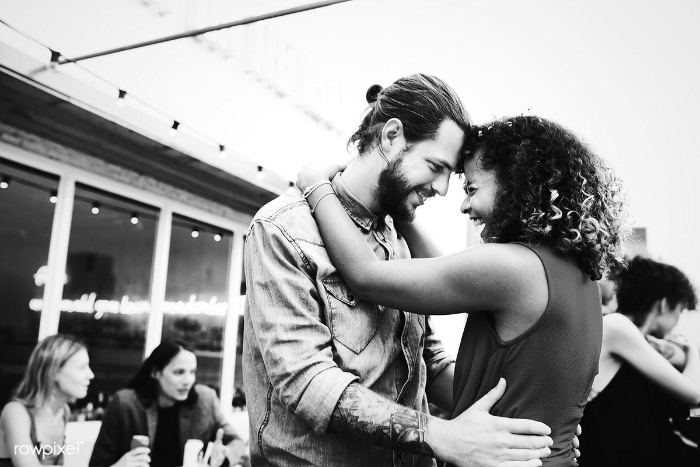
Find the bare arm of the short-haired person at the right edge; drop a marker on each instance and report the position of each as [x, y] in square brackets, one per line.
[627, 342]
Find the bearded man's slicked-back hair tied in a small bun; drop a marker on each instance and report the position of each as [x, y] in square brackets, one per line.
[422, 102]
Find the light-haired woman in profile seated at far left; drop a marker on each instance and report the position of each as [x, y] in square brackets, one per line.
[33, 424]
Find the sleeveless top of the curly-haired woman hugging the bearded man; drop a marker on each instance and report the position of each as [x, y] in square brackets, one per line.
[549, 369]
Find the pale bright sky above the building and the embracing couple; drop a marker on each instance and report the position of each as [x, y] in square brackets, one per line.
[622, 75]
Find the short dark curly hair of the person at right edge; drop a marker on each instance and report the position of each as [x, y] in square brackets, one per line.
[645, 281]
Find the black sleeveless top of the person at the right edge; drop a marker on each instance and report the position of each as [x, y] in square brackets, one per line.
[628, 424]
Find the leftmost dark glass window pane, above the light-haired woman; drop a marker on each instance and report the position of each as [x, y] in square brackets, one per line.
[26, 217]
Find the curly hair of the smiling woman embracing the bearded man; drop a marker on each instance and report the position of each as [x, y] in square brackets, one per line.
[551, 189]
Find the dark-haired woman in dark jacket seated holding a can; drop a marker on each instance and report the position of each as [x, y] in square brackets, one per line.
[163, 402]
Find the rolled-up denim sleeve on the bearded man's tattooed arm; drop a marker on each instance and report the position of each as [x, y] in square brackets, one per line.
[286, 315]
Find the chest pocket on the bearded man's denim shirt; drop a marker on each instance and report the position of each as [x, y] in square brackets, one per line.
[353, 323]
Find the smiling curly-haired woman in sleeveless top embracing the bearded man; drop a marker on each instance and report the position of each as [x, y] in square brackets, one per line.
[552, 217]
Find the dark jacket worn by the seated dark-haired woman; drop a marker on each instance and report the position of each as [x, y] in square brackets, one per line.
[131, 414]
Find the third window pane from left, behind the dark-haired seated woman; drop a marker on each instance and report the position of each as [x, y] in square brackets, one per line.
[196, 293]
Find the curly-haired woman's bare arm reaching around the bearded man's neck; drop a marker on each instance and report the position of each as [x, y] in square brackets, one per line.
[492, 277]
